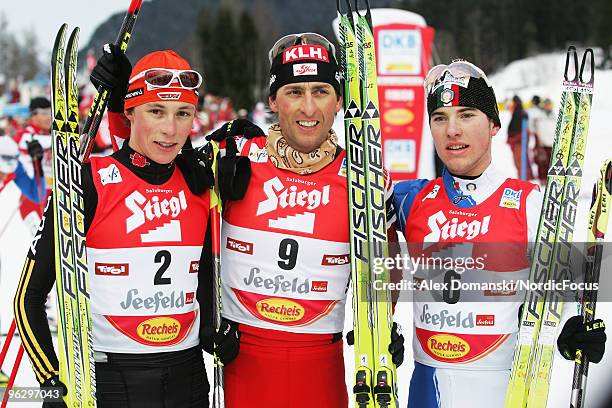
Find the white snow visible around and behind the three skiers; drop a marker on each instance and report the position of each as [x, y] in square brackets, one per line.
[537, 75]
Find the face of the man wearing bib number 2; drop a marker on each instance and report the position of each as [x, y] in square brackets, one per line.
[159, 129]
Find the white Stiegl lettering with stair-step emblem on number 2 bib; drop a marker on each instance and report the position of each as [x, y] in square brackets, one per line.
[153, 209]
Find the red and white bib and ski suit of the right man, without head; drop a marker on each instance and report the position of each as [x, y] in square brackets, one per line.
[458, 340]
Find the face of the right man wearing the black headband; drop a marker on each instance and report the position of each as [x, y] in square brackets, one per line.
[462, 137]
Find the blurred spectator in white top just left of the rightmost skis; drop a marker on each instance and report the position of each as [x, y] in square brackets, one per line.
[543, 126]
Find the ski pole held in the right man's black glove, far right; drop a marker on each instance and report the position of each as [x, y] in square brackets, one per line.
[598, 224]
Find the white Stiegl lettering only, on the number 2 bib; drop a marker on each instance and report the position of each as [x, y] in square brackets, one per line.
[154, 208]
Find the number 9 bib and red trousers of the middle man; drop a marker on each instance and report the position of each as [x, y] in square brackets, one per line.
[285, 273]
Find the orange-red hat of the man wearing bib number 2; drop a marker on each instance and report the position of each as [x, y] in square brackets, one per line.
[140, 92]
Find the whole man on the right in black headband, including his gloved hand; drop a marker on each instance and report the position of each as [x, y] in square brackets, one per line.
[464, 340]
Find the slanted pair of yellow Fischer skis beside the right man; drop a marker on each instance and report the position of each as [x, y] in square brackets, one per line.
[541, 313]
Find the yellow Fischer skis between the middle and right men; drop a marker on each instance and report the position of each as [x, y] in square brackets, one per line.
[375, 376]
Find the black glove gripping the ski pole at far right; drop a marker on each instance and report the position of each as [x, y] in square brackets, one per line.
[588, 337]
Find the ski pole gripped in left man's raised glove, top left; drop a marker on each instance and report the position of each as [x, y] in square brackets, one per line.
[90, 129]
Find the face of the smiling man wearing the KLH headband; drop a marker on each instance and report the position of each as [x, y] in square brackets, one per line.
[306, 113]
